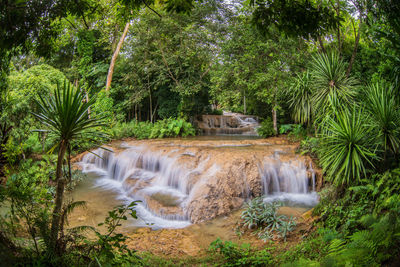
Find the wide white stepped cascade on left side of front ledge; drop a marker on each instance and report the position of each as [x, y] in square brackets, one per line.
[157, 180]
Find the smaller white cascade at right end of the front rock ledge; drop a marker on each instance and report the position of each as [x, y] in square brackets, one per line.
[288, 182]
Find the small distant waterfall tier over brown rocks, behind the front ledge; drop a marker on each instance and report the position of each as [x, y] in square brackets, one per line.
[230, 124]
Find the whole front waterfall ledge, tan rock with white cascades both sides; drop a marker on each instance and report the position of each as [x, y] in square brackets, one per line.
[180, 182]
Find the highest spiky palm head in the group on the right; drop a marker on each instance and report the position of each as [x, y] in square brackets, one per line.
[330, 84]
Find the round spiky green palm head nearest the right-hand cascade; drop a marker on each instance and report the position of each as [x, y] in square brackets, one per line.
[347, 147]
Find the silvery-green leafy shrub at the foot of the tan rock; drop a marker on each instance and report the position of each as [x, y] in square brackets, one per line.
[264, 216]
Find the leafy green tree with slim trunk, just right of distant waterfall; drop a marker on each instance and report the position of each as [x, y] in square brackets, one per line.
[254, 69]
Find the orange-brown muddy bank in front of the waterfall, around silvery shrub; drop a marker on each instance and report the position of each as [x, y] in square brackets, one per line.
[195, 239]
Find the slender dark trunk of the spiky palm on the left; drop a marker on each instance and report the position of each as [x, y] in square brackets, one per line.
[55, 224]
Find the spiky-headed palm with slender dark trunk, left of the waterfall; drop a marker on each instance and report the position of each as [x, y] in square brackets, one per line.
[65, 115]
